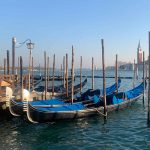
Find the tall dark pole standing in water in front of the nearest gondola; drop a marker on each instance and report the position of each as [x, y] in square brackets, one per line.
[104, 81]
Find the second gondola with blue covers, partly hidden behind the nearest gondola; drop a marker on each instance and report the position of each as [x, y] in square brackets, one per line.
[16, 106]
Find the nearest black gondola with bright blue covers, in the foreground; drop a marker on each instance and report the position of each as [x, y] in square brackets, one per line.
[47, 113]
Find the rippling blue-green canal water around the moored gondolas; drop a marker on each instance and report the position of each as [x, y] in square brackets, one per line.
[125, 129]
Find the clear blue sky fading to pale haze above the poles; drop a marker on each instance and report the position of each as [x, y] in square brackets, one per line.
[55, 25]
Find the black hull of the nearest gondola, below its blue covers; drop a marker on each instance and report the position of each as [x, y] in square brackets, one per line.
[49, 116]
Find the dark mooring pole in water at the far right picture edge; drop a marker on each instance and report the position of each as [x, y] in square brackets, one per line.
[148, 115]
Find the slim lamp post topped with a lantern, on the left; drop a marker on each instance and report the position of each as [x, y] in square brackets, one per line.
[30, 46]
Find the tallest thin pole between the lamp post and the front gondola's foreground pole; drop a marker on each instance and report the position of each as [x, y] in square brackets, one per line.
[72, 88]
